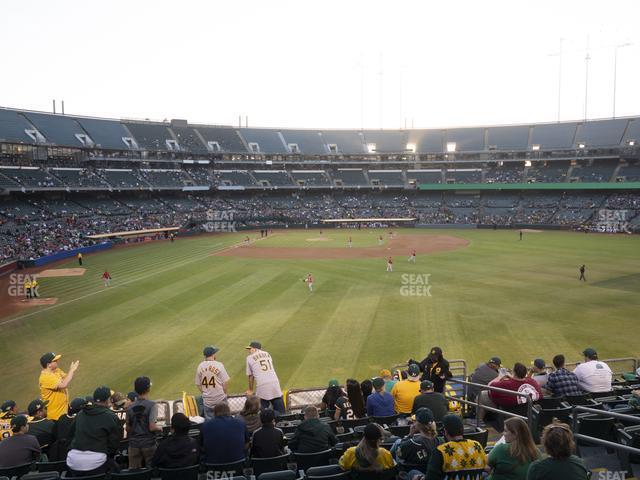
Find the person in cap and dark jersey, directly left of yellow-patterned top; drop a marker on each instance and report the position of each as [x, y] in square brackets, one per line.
[416, 448]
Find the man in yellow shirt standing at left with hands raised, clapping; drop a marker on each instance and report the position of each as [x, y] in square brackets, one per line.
[53, 384]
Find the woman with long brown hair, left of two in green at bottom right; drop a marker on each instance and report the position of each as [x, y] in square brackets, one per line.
[511, 460]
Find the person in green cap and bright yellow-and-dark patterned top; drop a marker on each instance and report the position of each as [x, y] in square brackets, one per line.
[456, 454]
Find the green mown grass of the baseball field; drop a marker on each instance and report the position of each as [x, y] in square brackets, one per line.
[498, 296]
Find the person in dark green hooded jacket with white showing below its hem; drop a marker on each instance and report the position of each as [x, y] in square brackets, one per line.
[96, 436]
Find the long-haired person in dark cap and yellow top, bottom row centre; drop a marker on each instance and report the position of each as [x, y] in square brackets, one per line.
[368, 455]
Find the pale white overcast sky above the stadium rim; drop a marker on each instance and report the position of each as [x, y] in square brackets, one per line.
[329, 63]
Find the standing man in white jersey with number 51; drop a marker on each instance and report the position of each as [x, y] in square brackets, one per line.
[262, 375]
